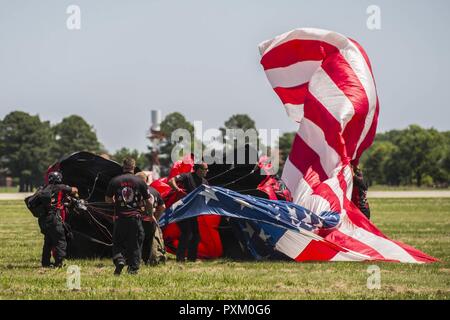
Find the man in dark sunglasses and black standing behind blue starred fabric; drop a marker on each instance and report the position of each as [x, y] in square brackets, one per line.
[190, 236]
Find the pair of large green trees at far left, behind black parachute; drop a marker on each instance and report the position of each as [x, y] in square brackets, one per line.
[29, 145]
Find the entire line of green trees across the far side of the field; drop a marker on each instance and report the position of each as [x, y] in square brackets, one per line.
[28, 146]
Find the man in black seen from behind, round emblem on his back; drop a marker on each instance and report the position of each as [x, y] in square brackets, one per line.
[128, 192]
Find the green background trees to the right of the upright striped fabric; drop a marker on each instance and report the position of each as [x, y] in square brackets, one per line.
[412, 156]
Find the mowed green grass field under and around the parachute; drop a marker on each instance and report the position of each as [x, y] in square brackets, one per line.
[423, 223]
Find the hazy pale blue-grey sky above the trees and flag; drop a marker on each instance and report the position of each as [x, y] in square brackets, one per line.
[201, 58]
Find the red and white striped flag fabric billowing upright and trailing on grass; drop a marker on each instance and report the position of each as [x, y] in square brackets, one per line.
[326, 84]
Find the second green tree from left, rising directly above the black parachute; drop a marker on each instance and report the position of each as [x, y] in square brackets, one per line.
[74, 134]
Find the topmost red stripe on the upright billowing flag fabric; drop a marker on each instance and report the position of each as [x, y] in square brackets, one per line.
[294, 51]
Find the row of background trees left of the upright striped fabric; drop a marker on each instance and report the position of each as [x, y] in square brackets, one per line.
[28, 145]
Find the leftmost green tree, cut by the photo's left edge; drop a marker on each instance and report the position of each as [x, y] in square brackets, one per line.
[25, 147]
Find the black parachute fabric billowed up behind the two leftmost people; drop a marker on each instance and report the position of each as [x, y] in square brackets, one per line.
[91, 228]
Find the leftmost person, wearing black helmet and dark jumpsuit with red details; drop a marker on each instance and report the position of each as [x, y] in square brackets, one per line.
[51, 223]
